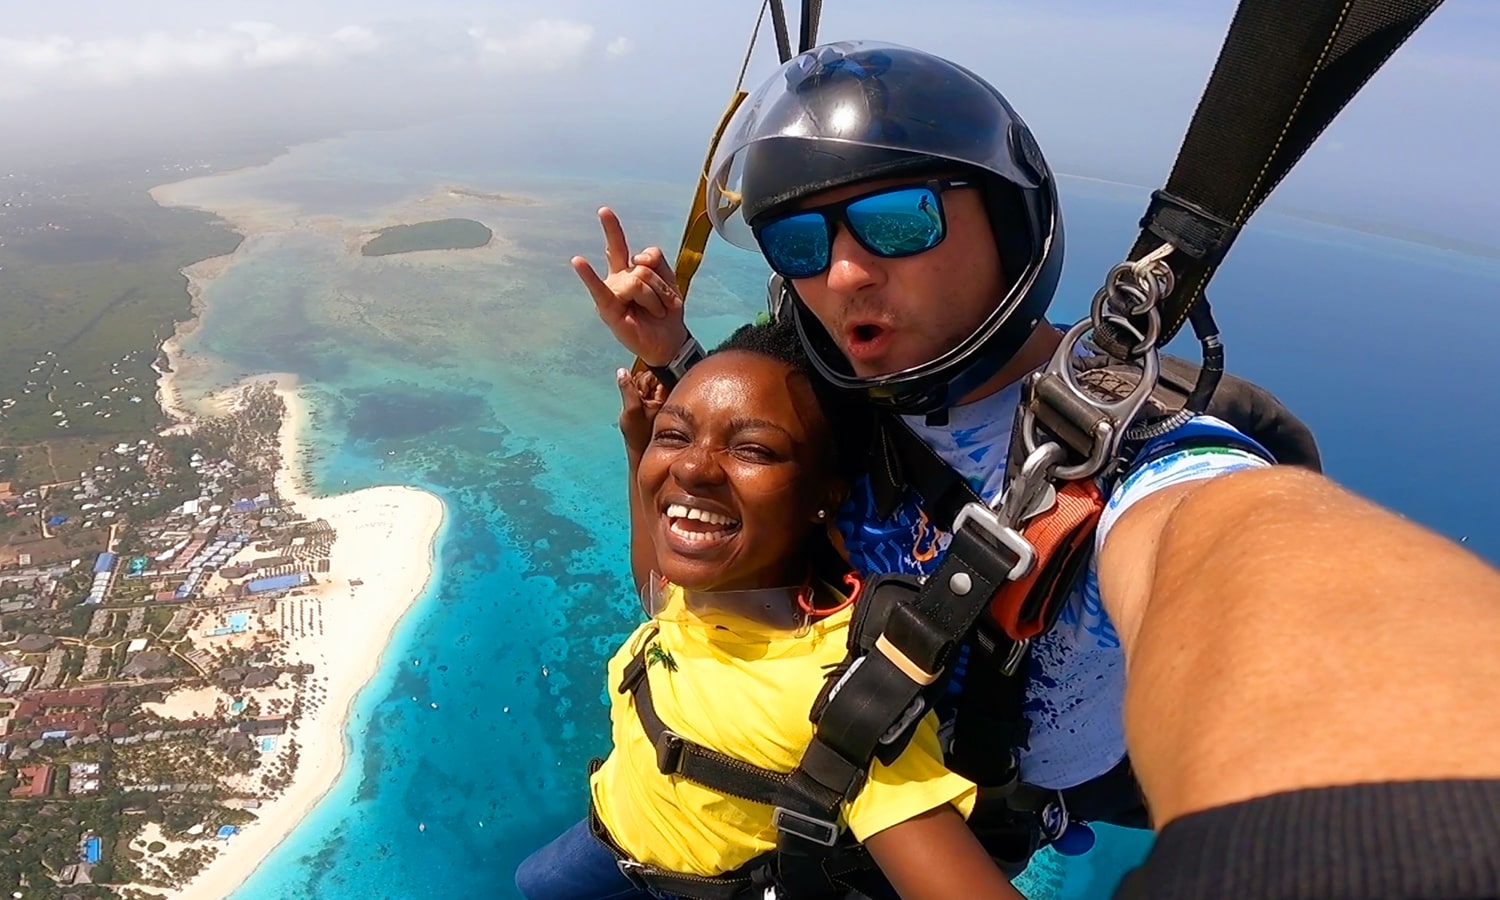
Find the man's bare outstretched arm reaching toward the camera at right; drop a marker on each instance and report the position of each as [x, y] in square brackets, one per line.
[1283, 634]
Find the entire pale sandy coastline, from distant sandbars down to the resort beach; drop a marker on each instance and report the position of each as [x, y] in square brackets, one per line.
[382, 562]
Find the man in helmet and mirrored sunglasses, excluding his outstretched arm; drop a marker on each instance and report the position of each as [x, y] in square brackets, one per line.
[916, 224]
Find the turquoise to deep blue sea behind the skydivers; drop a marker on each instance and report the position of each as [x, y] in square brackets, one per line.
[487, 379]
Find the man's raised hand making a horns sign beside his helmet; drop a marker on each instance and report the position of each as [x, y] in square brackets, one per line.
[640, 299]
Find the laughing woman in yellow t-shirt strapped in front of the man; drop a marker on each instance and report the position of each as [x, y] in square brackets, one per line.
[739, 475]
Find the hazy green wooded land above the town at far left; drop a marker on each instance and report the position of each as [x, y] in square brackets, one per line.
[92, 287]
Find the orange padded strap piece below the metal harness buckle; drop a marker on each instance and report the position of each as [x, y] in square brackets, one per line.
[1058, 535]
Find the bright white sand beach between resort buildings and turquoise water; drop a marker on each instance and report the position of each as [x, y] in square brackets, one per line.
[367, 593]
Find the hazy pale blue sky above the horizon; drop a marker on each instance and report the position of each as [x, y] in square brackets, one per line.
[1109, 86]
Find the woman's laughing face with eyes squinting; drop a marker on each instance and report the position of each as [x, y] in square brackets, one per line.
[736, 475]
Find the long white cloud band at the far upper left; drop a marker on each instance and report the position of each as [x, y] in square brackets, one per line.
[59, 61]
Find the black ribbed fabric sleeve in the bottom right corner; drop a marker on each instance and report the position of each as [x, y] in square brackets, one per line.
[1366, 842]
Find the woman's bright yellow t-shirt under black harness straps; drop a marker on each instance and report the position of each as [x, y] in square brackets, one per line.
[751, 700]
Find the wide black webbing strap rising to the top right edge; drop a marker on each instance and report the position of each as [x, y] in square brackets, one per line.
[1286, 70]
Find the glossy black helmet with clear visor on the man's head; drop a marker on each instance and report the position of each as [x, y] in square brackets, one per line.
[854, 112]
